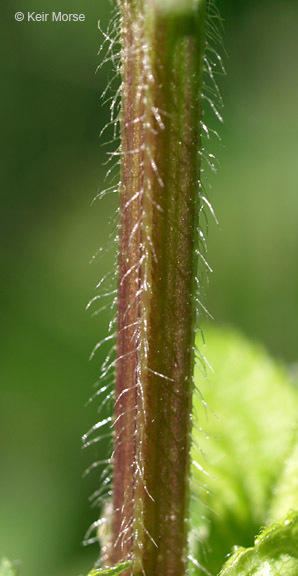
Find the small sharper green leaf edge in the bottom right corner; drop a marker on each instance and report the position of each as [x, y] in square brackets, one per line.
[275, 553]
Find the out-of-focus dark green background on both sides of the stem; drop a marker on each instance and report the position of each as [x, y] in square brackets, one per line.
[51, 169]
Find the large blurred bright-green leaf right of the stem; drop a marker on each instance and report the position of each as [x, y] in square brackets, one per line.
[242, 478]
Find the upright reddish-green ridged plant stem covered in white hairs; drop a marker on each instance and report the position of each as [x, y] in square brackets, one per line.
[162, 48]
